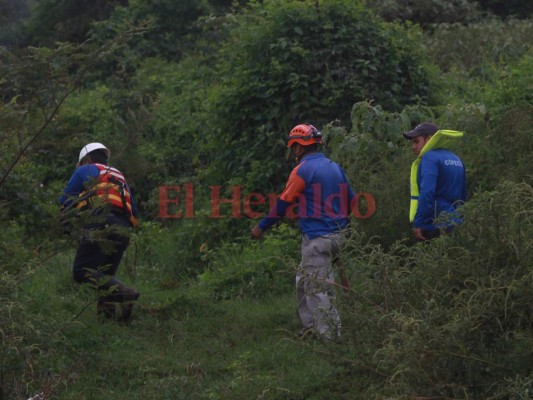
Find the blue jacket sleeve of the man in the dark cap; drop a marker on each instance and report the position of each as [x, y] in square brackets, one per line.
[428, 172]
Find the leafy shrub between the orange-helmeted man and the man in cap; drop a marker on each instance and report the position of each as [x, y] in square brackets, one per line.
[374, 152]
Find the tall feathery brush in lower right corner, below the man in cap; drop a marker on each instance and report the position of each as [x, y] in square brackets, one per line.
[452, 318]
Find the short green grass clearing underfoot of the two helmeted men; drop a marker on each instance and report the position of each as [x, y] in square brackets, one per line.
[180, 344]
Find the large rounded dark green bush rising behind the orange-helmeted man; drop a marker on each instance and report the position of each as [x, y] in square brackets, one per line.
[293, 61]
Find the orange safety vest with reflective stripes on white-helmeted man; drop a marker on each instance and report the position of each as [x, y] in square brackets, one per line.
[110, 188]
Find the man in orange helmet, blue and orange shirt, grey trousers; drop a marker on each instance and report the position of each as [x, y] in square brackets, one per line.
[323, 194]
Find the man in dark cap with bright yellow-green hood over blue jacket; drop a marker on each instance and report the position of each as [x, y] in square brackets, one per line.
[438, 181]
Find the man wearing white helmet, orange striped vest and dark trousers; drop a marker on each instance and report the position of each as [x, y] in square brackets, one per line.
[103, 190]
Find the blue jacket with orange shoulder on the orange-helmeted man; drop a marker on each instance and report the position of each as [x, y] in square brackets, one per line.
[321, 191]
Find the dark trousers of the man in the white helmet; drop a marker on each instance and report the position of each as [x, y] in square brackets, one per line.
[100, 251]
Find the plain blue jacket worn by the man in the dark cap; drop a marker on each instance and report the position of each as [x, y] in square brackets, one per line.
[442, 184]
